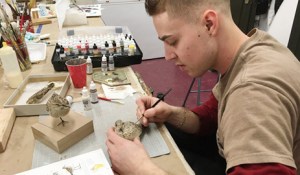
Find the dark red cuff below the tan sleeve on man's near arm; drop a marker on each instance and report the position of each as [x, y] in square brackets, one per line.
[262, 169]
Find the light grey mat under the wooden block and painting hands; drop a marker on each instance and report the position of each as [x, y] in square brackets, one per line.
[104, 115]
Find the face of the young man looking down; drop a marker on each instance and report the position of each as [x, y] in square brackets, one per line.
[188, 44]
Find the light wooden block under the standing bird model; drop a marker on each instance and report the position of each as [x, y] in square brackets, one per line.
[59, 138]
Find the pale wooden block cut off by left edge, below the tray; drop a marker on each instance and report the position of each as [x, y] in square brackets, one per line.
[7, 119]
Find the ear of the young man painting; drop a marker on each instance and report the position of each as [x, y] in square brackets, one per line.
[211, 21]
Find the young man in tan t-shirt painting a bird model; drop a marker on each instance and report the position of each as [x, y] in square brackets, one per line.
[254, 108]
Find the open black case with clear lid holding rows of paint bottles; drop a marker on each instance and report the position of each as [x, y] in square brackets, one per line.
[99, 35]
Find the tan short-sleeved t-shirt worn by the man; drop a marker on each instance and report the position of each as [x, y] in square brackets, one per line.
[259, 105]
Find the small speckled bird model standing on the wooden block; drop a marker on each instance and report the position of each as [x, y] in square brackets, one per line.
[58, 107]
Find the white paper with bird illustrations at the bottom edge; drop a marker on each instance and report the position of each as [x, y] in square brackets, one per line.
[91, 163]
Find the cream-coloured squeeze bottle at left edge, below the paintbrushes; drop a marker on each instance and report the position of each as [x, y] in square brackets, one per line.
[11, 67]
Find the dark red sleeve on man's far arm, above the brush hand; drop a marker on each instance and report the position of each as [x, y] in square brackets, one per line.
[208, 115]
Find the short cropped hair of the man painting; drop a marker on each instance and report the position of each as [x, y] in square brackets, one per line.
[186, 9]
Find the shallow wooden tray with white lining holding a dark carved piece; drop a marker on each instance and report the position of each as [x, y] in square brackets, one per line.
[18, 102]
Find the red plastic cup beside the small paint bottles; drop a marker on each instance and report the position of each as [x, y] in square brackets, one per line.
[77, 71]
